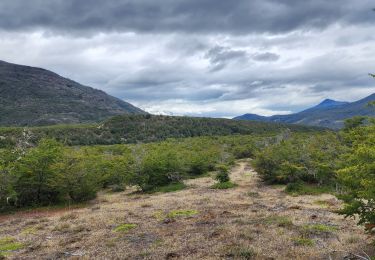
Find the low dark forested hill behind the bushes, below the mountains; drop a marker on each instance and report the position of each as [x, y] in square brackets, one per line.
[146, 128]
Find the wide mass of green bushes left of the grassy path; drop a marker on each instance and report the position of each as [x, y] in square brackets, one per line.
[50, 173]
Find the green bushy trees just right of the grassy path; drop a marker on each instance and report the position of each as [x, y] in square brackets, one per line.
[301, 158]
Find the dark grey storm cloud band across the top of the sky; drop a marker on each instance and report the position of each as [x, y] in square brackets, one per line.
[191, 16]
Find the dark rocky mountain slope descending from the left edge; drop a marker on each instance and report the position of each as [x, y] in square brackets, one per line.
[34, 96]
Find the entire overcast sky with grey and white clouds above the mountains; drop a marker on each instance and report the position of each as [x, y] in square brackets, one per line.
[216, 58]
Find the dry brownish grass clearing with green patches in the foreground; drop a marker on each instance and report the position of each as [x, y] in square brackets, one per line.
[250, 221]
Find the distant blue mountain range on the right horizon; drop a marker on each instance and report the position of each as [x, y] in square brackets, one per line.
[329, 113]
